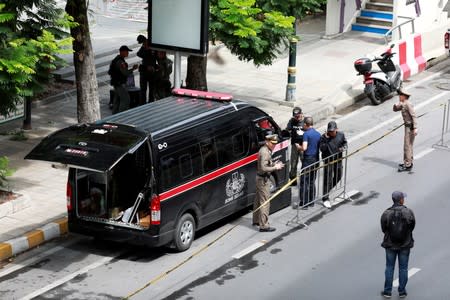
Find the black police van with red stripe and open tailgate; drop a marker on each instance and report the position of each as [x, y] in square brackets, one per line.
[157, 173]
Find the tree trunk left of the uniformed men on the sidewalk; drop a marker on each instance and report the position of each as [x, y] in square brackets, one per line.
[88, 107]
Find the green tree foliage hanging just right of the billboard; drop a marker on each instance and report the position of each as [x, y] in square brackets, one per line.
[249, 30]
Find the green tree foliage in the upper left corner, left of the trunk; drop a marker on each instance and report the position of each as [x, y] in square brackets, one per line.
[30, 38]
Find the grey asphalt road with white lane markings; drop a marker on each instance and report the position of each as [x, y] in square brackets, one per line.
[338, 256]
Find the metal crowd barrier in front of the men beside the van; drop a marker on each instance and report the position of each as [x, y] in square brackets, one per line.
[323, 180]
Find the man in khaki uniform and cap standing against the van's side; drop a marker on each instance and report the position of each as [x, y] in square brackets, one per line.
[264, 168]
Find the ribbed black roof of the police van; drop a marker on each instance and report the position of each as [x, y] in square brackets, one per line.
[170, 113]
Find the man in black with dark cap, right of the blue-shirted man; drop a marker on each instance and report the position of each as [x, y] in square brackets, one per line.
[331, 144]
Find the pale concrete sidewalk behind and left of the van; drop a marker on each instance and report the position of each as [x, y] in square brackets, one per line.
[326, 81]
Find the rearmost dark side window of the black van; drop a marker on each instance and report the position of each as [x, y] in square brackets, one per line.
[180, 166]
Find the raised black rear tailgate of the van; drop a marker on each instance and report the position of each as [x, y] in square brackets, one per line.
[89, 146]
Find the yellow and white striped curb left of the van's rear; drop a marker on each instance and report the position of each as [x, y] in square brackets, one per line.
[33, 238]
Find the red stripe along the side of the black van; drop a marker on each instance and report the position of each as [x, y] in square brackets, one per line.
[208, 177]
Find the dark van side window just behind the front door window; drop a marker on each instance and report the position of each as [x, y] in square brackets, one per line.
[233, 145]
